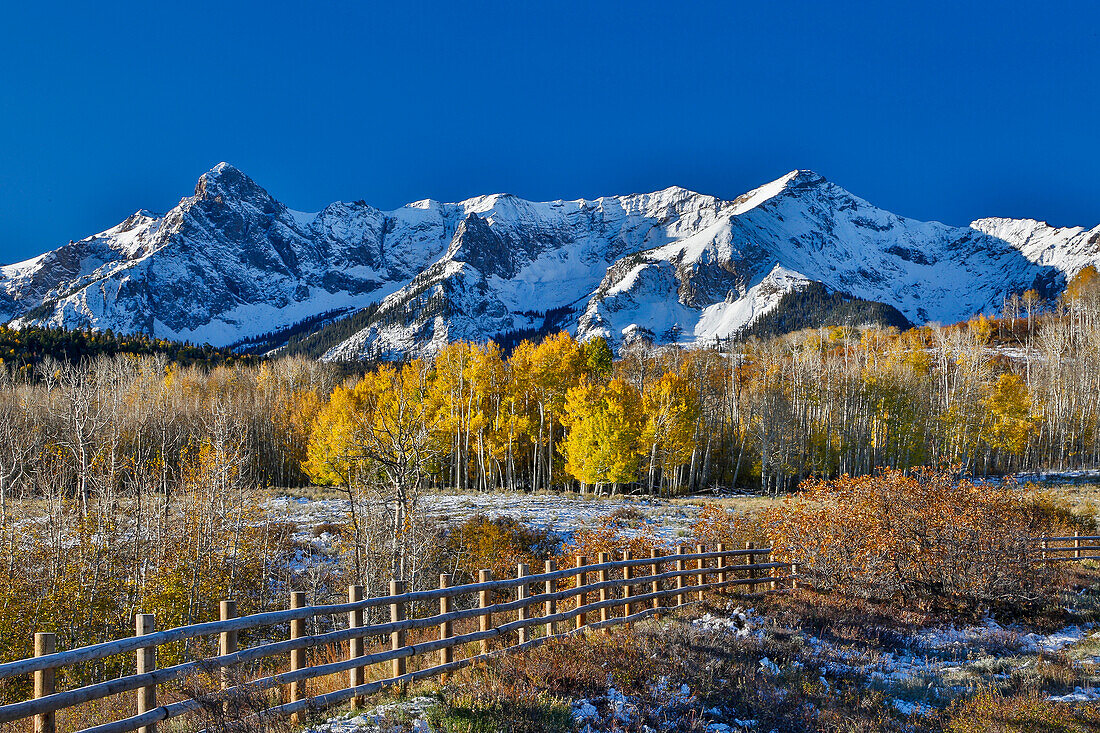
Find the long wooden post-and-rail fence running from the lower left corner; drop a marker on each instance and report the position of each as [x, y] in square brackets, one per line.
[567, 601]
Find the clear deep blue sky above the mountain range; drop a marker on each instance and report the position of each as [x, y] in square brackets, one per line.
[938, 111]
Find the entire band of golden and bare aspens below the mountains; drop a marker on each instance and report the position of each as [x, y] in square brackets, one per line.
[992, 395]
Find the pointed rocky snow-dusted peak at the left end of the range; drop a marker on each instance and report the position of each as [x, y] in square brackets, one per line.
[229, 261]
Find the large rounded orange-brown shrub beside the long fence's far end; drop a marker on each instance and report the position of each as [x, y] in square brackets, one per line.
[926, 537]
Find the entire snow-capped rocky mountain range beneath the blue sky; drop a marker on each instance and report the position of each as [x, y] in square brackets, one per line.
[232, 264]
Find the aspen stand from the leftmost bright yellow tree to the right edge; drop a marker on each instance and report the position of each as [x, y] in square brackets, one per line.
[992, 395]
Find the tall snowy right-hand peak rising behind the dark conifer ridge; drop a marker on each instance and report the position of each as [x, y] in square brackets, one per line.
[807, 226]
